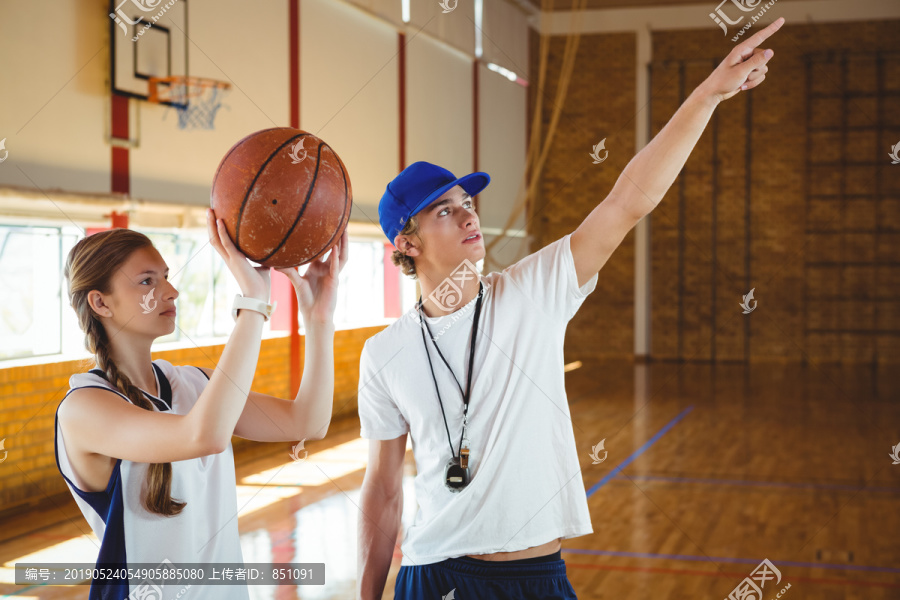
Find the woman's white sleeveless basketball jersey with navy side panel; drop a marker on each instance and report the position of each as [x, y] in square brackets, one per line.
[206, 530]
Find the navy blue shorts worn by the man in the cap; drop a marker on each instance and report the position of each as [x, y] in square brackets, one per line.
[541, 578]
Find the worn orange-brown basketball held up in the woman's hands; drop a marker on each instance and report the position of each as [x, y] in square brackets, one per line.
[284, 196]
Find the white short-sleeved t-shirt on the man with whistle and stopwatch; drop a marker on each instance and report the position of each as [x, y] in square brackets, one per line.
[525, 485]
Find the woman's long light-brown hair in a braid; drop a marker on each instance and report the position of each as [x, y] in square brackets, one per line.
[90, 266]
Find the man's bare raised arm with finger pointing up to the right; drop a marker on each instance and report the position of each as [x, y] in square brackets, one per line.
[648, 176]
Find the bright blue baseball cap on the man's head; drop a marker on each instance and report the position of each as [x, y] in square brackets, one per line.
[417, 186]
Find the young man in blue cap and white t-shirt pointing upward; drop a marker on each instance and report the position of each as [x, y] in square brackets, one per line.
[474, 374]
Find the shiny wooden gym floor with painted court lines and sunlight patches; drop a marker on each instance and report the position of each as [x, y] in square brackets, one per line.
[710, 470]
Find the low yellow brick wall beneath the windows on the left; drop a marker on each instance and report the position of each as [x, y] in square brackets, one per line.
[30, 395]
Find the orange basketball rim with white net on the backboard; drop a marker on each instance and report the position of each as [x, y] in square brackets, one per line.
[197, 99]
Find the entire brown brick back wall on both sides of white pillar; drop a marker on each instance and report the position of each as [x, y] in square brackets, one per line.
[769, 199]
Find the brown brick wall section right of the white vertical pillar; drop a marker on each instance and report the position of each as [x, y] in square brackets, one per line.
[790, 192]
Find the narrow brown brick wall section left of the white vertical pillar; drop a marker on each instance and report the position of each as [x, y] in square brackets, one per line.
[599, 104]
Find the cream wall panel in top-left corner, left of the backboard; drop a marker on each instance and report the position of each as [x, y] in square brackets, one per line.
[54, 103]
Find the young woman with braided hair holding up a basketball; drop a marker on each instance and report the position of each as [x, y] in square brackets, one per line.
[144, 445]
